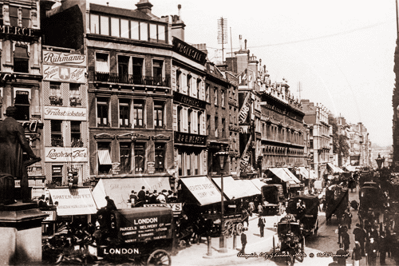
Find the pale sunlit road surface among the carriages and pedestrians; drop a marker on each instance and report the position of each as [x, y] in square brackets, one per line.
[317, 248]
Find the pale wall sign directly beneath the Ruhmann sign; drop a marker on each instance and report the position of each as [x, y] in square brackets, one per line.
[64, 74]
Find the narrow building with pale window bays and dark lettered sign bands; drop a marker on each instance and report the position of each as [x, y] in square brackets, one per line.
[189, 106]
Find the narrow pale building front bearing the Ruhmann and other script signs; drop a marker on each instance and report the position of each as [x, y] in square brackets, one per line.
[64, 91]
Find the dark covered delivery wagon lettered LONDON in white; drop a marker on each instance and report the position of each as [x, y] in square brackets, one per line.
[143, 236]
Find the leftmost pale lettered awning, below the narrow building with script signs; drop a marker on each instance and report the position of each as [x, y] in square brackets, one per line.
[77, 201]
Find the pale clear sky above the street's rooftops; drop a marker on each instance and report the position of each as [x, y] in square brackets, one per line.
[341, 52]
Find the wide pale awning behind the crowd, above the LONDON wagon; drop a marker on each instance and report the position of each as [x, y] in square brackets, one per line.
[119, 189]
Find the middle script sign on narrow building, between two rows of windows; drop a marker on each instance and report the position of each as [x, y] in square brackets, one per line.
[65, 113]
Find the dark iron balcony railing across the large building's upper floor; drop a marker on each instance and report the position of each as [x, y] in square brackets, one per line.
[132, 79]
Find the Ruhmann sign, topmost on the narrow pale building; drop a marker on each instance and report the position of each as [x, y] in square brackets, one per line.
[57, 58]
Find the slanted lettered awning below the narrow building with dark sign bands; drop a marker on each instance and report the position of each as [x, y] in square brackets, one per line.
[202, 189]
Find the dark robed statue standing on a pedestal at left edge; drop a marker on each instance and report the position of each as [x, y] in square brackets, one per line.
[12, 145]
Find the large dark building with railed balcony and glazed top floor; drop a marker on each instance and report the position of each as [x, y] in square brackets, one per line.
[129, 63]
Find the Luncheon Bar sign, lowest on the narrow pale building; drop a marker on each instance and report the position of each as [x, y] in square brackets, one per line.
[61, 154]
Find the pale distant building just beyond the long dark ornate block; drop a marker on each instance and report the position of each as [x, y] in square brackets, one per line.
[316, 116]
